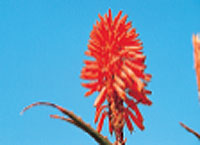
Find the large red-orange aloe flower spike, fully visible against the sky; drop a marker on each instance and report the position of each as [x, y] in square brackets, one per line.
[117, 73]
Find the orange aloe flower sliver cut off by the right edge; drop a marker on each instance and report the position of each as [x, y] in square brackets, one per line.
[196, 44]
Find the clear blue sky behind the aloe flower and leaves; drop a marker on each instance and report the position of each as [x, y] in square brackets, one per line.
[42, 44]
